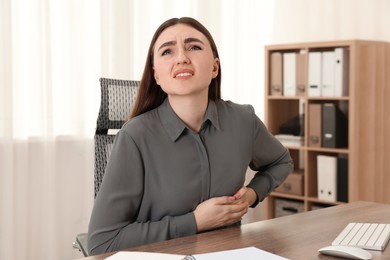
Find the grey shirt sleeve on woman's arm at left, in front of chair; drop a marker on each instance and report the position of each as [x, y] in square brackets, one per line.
[114, 224]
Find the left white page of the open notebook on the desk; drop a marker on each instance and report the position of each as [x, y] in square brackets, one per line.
[127, 255]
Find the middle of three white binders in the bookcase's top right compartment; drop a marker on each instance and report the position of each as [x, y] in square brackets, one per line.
[328, 74]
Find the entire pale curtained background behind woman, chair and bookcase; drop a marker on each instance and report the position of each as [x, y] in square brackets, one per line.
[52, 53]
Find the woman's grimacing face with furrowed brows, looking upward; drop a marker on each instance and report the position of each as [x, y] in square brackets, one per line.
[183, 61]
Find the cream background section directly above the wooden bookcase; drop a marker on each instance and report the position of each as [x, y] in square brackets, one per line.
[328, 20]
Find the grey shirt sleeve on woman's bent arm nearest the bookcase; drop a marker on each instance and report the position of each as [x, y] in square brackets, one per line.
[271, 160]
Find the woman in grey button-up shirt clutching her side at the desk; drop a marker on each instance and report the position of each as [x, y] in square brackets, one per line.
[178, 165]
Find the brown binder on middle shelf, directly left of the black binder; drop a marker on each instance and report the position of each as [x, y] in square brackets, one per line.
[315, 125]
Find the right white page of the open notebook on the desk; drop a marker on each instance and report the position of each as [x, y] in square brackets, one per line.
[242, 253]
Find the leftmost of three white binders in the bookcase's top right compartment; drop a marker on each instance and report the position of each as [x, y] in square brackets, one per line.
[314, 89]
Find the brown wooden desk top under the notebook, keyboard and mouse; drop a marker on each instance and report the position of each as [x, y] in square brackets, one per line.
[297, 236]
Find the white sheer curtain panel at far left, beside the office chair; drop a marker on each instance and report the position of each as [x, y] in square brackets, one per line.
[49, 97]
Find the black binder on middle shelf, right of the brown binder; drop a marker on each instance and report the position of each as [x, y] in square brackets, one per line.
[334, 127]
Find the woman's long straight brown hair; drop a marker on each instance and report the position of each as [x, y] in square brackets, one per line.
[150, 95]
